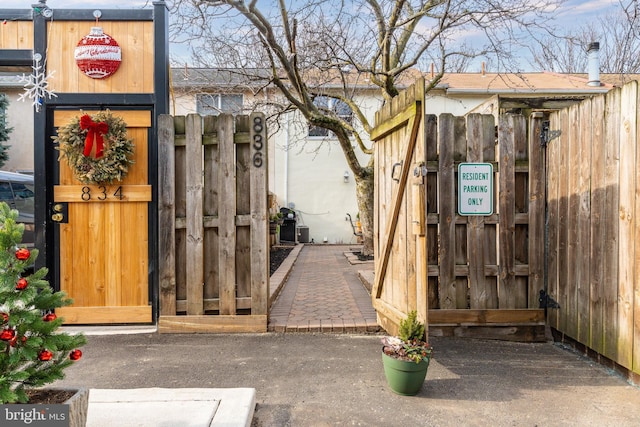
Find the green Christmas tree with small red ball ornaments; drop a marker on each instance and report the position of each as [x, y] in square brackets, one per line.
[33, 352]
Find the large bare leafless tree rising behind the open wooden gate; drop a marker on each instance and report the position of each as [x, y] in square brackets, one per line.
[308, 44]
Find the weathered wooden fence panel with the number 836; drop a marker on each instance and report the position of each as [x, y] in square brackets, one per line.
[213, 221]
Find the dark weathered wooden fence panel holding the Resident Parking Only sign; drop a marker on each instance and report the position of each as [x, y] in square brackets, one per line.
[486, 272]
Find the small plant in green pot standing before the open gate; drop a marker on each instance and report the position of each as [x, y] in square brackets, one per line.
[406, 357]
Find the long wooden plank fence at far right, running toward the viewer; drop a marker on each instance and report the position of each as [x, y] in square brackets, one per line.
[593, 201]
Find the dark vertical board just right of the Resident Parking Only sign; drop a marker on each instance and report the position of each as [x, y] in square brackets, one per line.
[506, 280]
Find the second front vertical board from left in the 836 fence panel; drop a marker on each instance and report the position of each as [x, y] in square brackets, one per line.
[195, 228]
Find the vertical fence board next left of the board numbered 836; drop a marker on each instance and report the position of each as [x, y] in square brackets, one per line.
[227, 226]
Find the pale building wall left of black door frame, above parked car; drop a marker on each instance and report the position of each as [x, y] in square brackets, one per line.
[20, 118]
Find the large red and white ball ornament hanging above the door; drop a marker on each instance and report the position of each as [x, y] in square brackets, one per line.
[97, 54]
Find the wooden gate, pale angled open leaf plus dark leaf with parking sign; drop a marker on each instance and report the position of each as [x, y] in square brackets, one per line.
[468, 275]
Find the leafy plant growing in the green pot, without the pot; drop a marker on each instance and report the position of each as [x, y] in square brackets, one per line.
[409, 345]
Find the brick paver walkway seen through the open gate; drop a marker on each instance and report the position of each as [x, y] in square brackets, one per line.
[323, 294]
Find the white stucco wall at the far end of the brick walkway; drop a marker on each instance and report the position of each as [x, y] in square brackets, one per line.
[307, 175]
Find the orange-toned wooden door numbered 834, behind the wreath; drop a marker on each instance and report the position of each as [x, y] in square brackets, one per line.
[103, 248]
